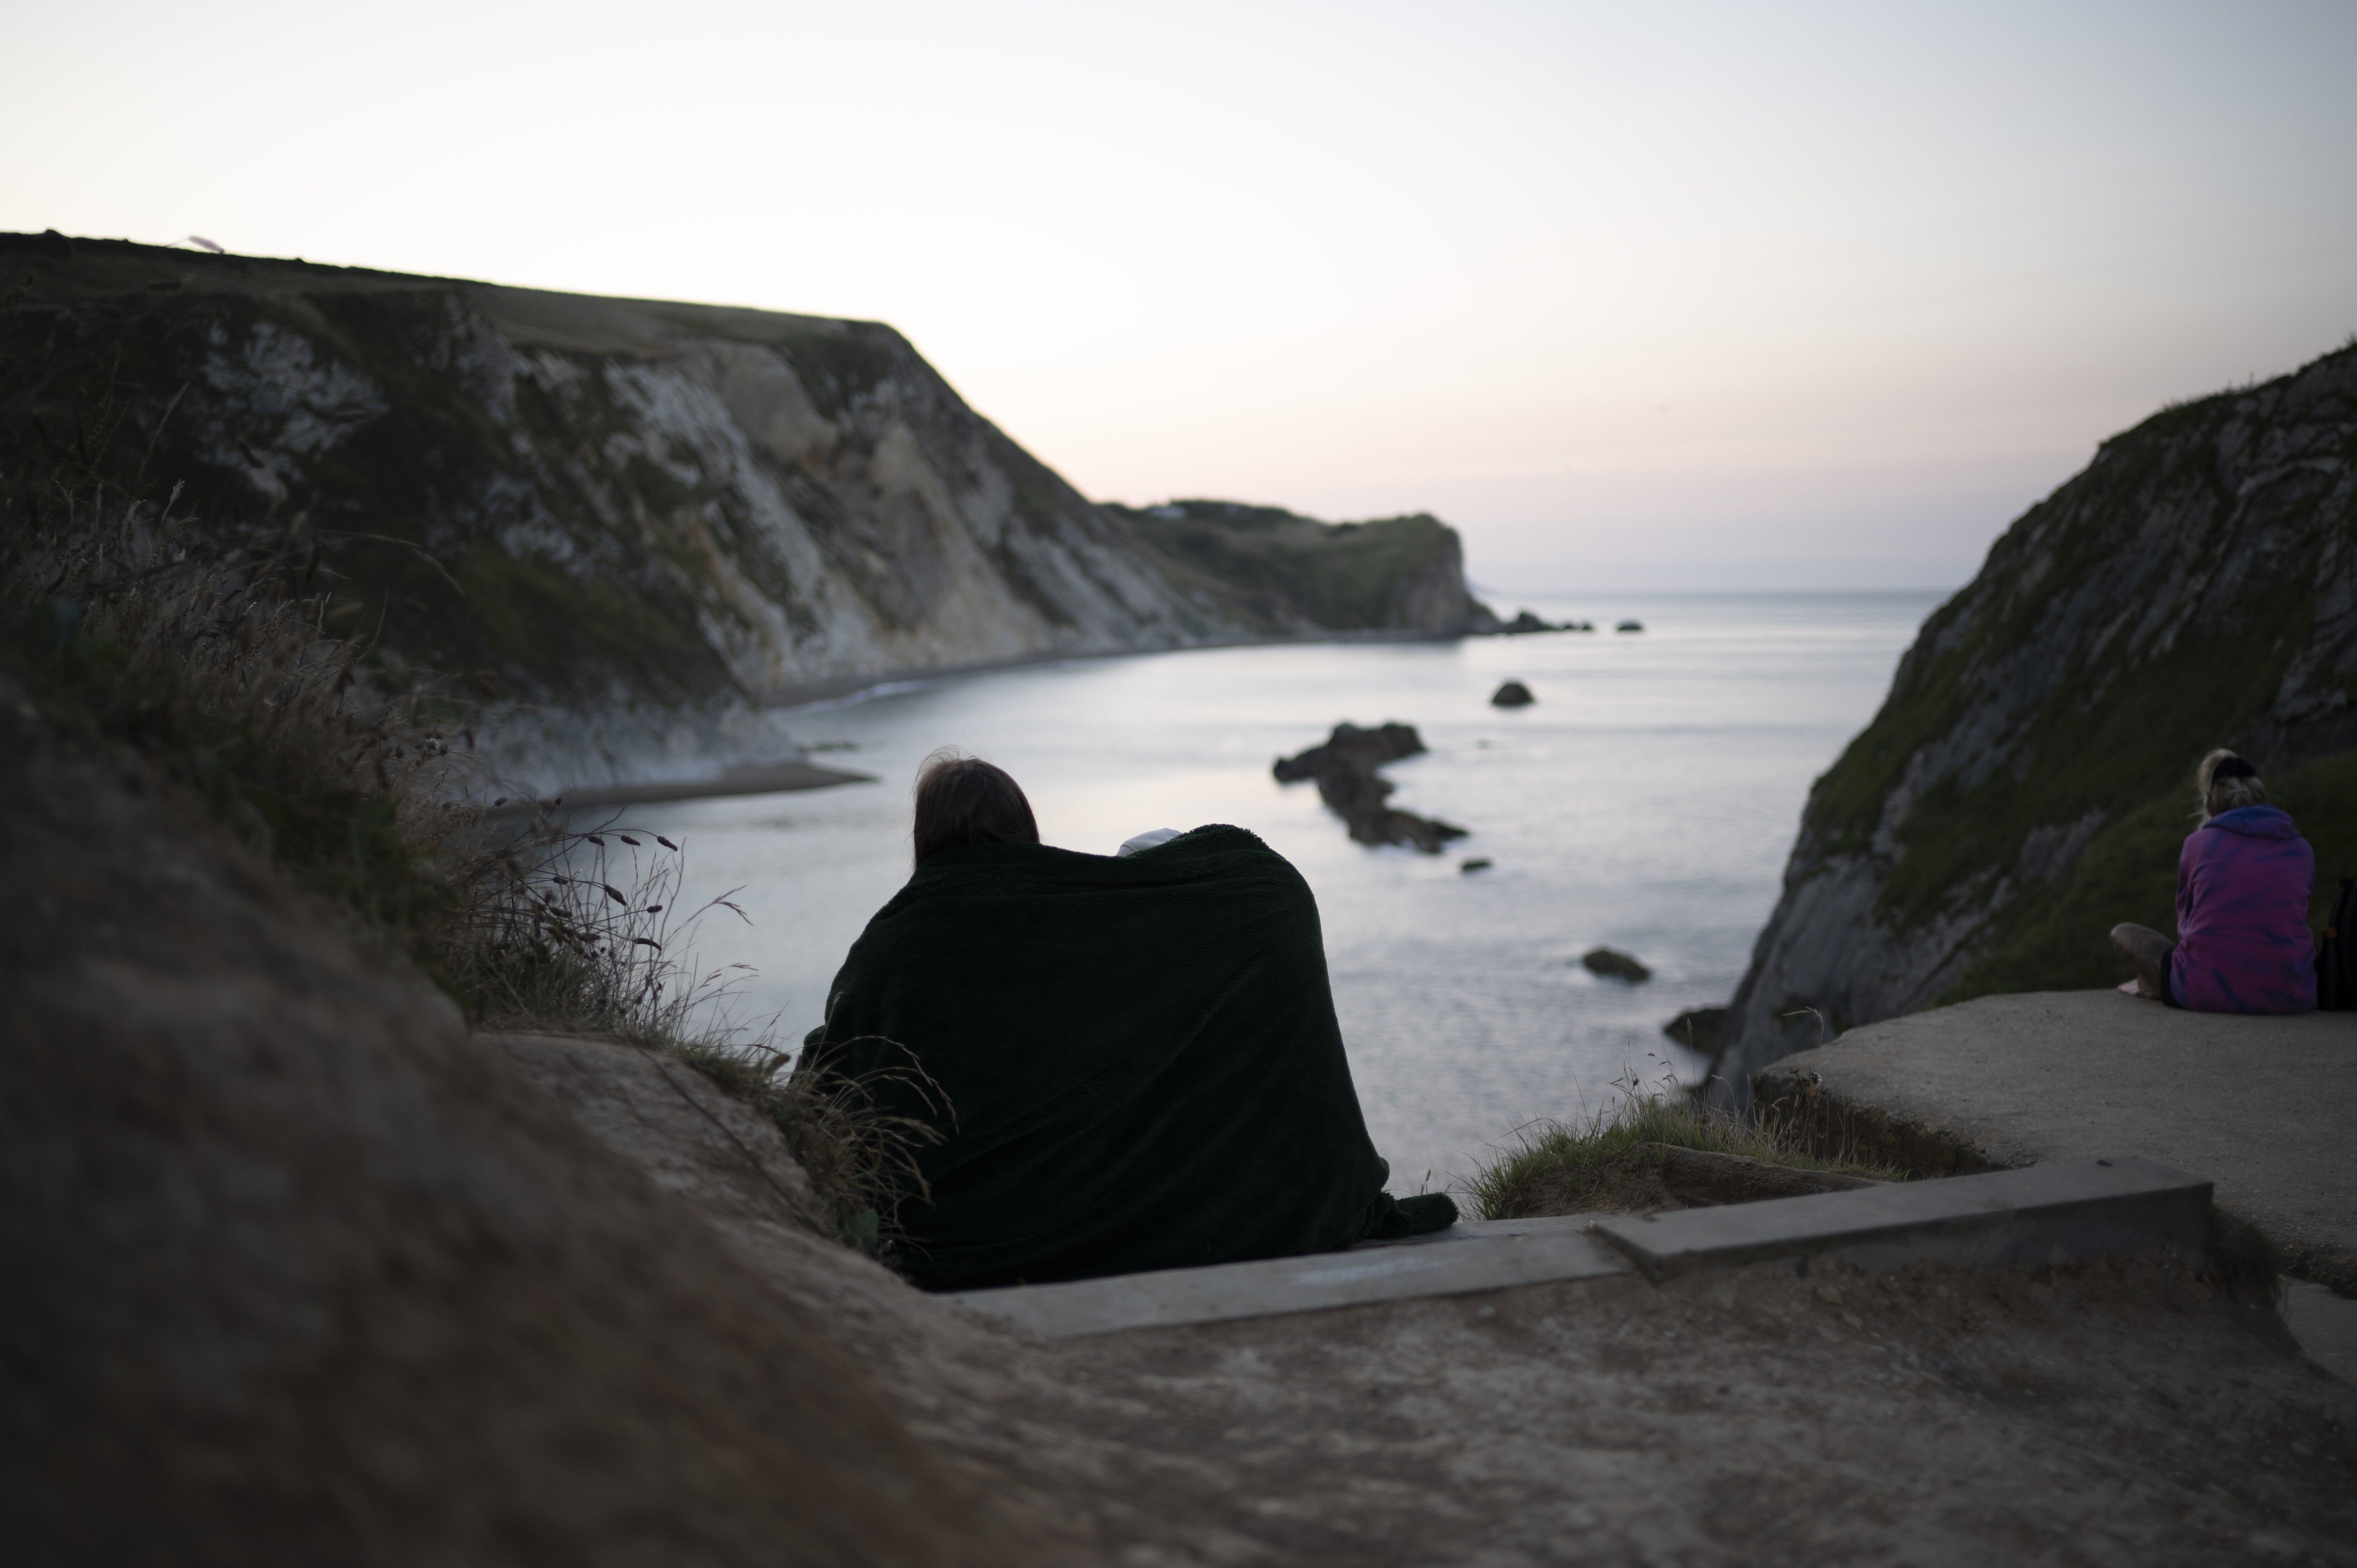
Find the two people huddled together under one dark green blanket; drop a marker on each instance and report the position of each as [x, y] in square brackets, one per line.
[1128, 1062]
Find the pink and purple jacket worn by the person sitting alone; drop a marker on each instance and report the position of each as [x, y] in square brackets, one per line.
[2243, 916]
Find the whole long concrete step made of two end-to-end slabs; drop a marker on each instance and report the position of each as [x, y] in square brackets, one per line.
[2045, 1215]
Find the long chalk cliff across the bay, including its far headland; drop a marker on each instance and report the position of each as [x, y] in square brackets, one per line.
[623, 525]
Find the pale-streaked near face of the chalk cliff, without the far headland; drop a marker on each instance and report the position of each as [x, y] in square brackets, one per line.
[572, 492]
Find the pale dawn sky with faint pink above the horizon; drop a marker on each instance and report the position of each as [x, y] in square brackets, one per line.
[1708, 296]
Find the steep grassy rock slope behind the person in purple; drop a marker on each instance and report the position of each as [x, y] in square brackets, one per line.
[2031, 775]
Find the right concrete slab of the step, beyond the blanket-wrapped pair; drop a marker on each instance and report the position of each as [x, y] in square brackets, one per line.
[2042, 1215]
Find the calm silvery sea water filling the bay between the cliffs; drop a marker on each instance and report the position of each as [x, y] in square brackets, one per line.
[1646, 801]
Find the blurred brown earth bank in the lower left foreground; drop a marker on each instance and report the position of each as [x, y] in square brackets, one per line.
[291, 1272]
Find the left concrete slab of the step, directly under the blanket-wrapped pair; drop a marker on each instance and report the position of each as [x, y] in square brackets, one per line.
[1305, 1284]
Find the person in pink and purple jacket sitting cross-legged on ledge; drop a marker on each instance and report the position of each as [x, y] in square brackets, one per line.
[2243, 907]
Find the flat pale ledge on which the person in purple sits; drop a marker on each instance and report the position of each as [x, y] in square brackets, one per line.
[2262, 1107]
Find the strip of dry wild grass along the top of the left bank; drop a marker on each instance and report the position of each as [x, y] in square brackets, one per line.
[209, 652]
